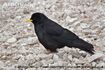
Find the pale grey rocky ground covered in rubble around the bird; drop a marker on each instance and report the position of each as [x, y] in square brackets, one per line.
[21, 50]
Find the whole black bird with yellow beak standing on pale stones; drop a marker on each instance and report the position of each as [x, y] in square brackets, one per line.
[52, 36]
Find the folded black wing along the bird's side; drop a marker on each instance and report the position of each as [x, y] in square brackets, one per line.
[58, 33]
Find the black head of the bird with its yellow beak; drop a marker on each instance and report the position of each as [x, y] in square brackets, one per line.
[36, 18]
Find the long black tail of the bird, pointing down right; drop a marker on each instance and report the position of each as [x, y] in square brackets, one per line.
[83, 45]
